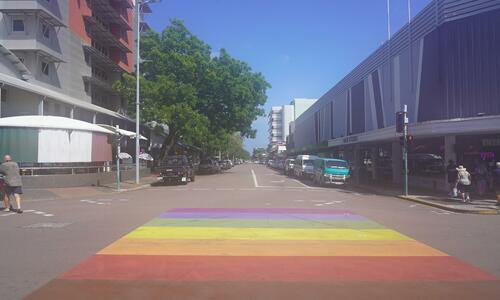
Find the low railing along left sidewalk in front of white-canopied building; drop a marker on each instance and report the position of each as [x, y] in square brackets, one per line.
[44, 169]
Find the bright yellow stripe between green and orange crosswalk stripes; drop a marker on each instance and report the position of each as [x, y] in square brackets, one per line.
[228, 233]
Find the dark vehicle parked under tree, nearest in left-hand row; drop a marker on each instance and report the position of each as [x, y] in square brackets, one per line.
[176, 169]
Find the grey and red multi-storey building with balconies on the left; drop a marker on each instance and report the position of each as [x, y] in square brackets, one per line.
[61, 57]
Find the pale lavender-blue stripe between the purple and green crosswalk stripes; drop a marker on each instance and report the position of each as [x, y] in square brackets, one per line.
[262, 216]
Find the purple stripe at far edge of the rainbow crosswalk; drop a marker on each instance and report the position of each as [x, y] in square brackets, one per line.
[262, 210]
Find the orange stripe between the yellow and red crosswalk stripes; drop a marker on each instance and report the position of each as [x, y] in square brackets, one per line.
[138, 246]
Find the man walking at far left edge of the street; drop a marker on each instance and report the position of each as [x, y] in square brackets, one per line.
[13, 180]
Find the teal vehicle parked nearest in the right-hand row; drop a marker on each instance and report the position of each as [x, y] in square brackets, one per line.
[331, 171]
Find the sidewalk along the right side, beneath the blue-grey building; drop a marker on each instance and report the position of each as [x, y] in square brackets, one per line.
[434, 199]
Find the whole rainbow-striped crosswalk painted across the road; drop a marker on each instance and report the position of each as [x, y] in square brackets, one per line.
[268, 253]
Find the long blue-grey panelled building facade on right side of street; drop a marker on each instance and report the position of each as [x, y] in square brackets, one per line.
[444, 66]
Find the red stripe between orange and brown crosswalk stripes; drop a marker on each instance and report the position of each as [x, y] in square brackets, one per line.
[224, 268]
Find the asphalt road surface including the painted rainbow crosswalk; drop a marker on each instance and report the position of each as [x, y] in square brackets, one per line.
[250, 233]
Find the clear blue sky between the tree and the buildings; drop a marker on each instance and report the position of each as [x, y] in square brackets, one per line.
[303, 48]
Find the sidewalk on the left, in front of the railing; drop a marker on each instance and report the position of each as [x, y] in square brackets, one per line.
[86, 191]
